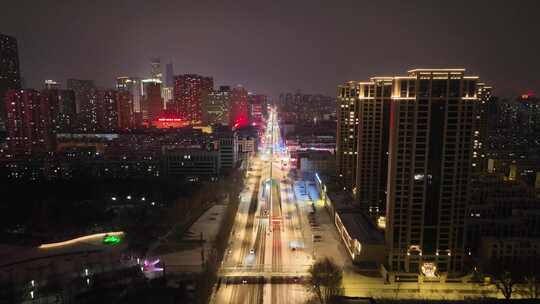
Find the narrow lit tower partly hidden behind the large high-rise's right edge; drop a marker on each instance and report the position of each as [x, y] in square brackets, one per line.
[480, 133]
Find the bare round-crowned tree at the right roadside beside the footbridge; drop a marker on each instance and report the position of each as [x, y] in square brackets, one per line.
[325, 280]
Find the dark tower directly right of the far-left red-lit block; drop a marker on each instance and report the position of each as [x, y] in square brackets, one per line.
[62, 109]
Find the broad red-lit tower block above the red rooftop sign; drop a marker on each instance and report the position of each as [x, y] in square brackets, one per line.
[190, 90]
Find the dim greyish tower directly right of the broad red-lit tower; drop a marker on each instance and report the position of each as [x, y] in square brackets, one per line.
[216, 107]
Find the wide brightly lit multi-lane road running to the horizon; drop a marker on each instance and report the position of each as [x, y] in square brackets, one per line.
[266, 258]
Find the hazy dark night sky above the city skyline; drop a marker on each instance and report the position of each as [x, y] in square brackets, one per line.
[275, 46]
